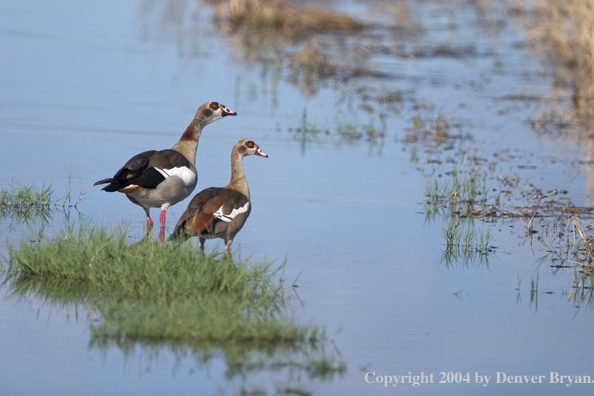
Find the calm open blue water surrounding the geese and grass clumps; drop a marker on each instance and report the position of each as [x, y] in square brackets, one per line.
[81, 94]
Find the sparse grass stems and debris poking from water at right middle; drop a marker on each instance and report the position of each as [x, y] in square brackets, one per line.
[464, 198]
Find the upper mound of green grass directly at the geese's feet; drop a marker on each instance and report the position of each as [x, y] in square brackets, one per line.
[105, 260]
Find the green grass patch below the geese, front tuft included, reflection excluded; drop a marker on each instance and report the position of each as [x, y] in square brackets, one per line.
[153, 290]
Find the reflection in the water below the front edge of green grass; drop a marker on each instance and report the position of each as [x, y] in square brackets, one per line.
[248, 368]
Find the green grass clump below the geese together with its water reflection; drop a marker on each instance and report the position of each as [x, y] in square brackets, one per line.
[149, 297]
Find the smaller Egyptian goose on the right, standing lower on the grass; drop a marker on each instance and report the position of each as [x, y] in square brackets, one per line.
[220, 212]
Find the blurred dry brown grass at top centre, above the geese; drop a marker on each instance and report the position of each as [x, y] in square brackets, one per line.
[278, 32]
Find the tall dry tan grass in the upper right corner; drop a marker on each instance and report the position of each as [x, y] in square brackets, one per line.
[563, 30]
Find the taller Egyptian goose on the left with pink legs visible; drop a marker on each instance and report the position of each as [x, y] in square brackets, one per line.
[163, 178]
